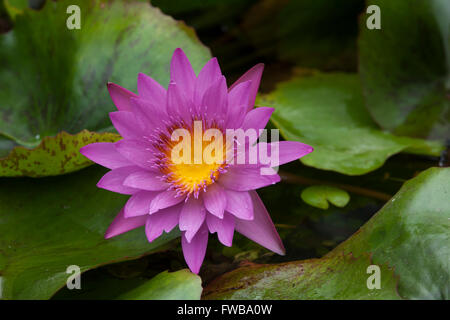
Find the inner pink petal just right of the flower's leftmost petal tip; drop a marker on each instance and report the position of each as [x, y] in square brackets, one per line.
[136, 151]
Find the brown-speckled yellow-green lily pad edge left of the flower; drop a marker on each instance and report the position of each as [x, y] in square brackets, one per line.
[54, 155]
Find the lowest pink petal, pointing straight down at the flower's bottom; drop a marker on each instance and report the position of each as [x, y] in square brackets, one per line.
[194, 251]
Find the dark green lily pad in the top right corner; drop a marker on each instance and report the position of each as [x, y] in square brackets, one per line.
[405, 67]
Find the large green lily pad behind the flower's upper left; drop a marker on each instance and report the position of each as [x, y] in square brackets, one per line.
[54, 79]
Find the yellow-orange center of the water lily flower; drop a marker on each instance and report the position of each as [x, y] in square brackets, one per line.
[193, 158]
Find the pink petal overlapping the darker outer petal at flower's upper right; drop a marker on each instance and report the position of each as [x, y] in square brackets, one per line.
[237, 104]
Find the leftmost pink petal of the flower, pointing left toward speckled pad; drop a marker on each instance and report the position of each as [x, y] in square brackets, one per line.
[105, 154]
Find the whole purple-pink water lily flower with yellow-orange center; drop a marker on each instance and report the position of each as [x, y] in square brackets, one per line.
[200, 198]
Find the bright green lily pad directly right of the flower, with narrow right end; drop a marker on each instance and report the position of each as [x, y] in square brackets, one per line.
[327, 112]
